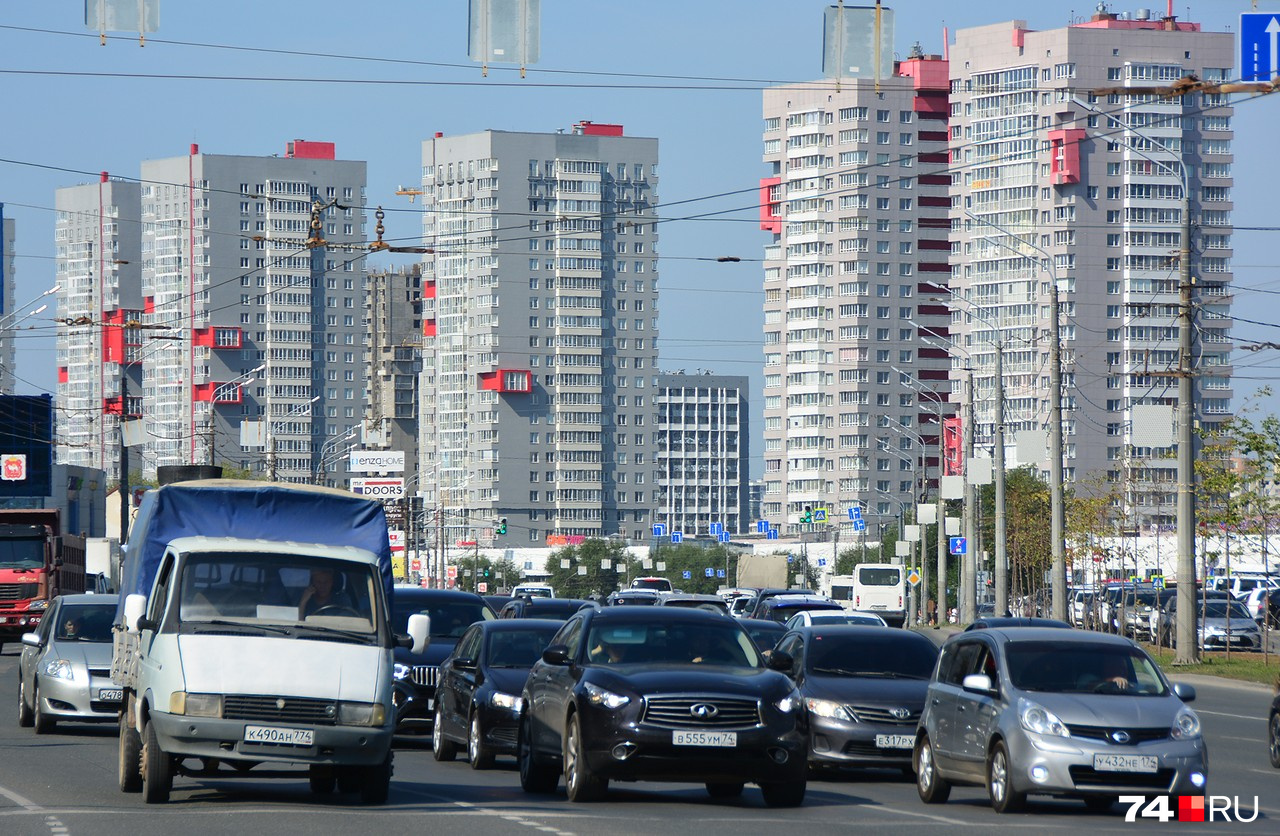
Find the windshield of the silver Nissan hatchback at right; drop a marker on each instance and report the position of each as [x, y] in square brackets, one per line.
[1082, 668]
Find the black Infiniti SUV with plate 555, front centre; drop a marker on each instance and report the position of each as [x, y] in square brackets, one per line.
[661, 695]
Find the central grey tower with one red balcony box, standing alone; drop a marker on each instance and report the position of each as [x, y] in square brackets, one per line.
[541, 335]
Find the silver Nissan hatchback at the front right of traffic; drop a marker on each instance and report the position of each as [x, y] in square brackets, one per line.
[1036, 711]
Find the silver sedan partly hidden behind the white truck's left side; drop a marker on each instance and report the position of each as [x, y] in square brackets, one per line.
[65, 671]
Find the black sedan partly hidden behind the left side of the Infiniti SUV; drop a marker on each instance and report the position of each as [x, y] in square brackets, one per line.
[478, 697]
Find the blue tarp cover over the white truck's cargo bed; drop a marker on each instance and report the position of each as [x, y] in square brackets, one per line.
[255, 511]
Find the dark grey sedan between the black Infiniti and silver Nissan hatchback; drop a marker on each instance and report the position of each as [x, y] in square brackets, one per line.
[863, 692]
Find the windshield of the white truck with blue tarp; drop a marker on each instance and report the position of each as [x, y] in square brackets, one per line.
[278, 590]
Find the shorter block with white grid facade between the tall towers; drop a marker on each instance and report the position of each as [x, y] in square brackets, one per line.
[703, 454]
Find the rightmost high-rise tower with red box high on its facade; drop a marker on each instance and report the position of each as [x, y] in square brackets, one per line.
[1060, 172]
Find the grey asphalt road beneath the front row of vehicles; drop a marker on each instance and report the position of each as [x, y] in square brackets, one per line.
[66, 784]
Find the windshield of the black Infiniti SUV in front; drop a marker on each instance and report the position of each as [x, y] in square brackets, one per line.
[648, 643]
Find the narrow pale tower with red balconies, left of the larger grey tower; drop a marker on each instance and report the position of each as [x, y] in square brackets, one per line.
[99, 266]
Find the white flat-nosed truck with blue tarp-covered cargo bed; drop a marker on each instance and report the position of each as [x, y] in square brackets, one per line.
[254, 629]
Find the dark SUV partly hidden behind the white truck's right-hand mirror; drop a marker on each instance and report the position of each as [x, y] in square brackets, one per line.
[451, 613]
